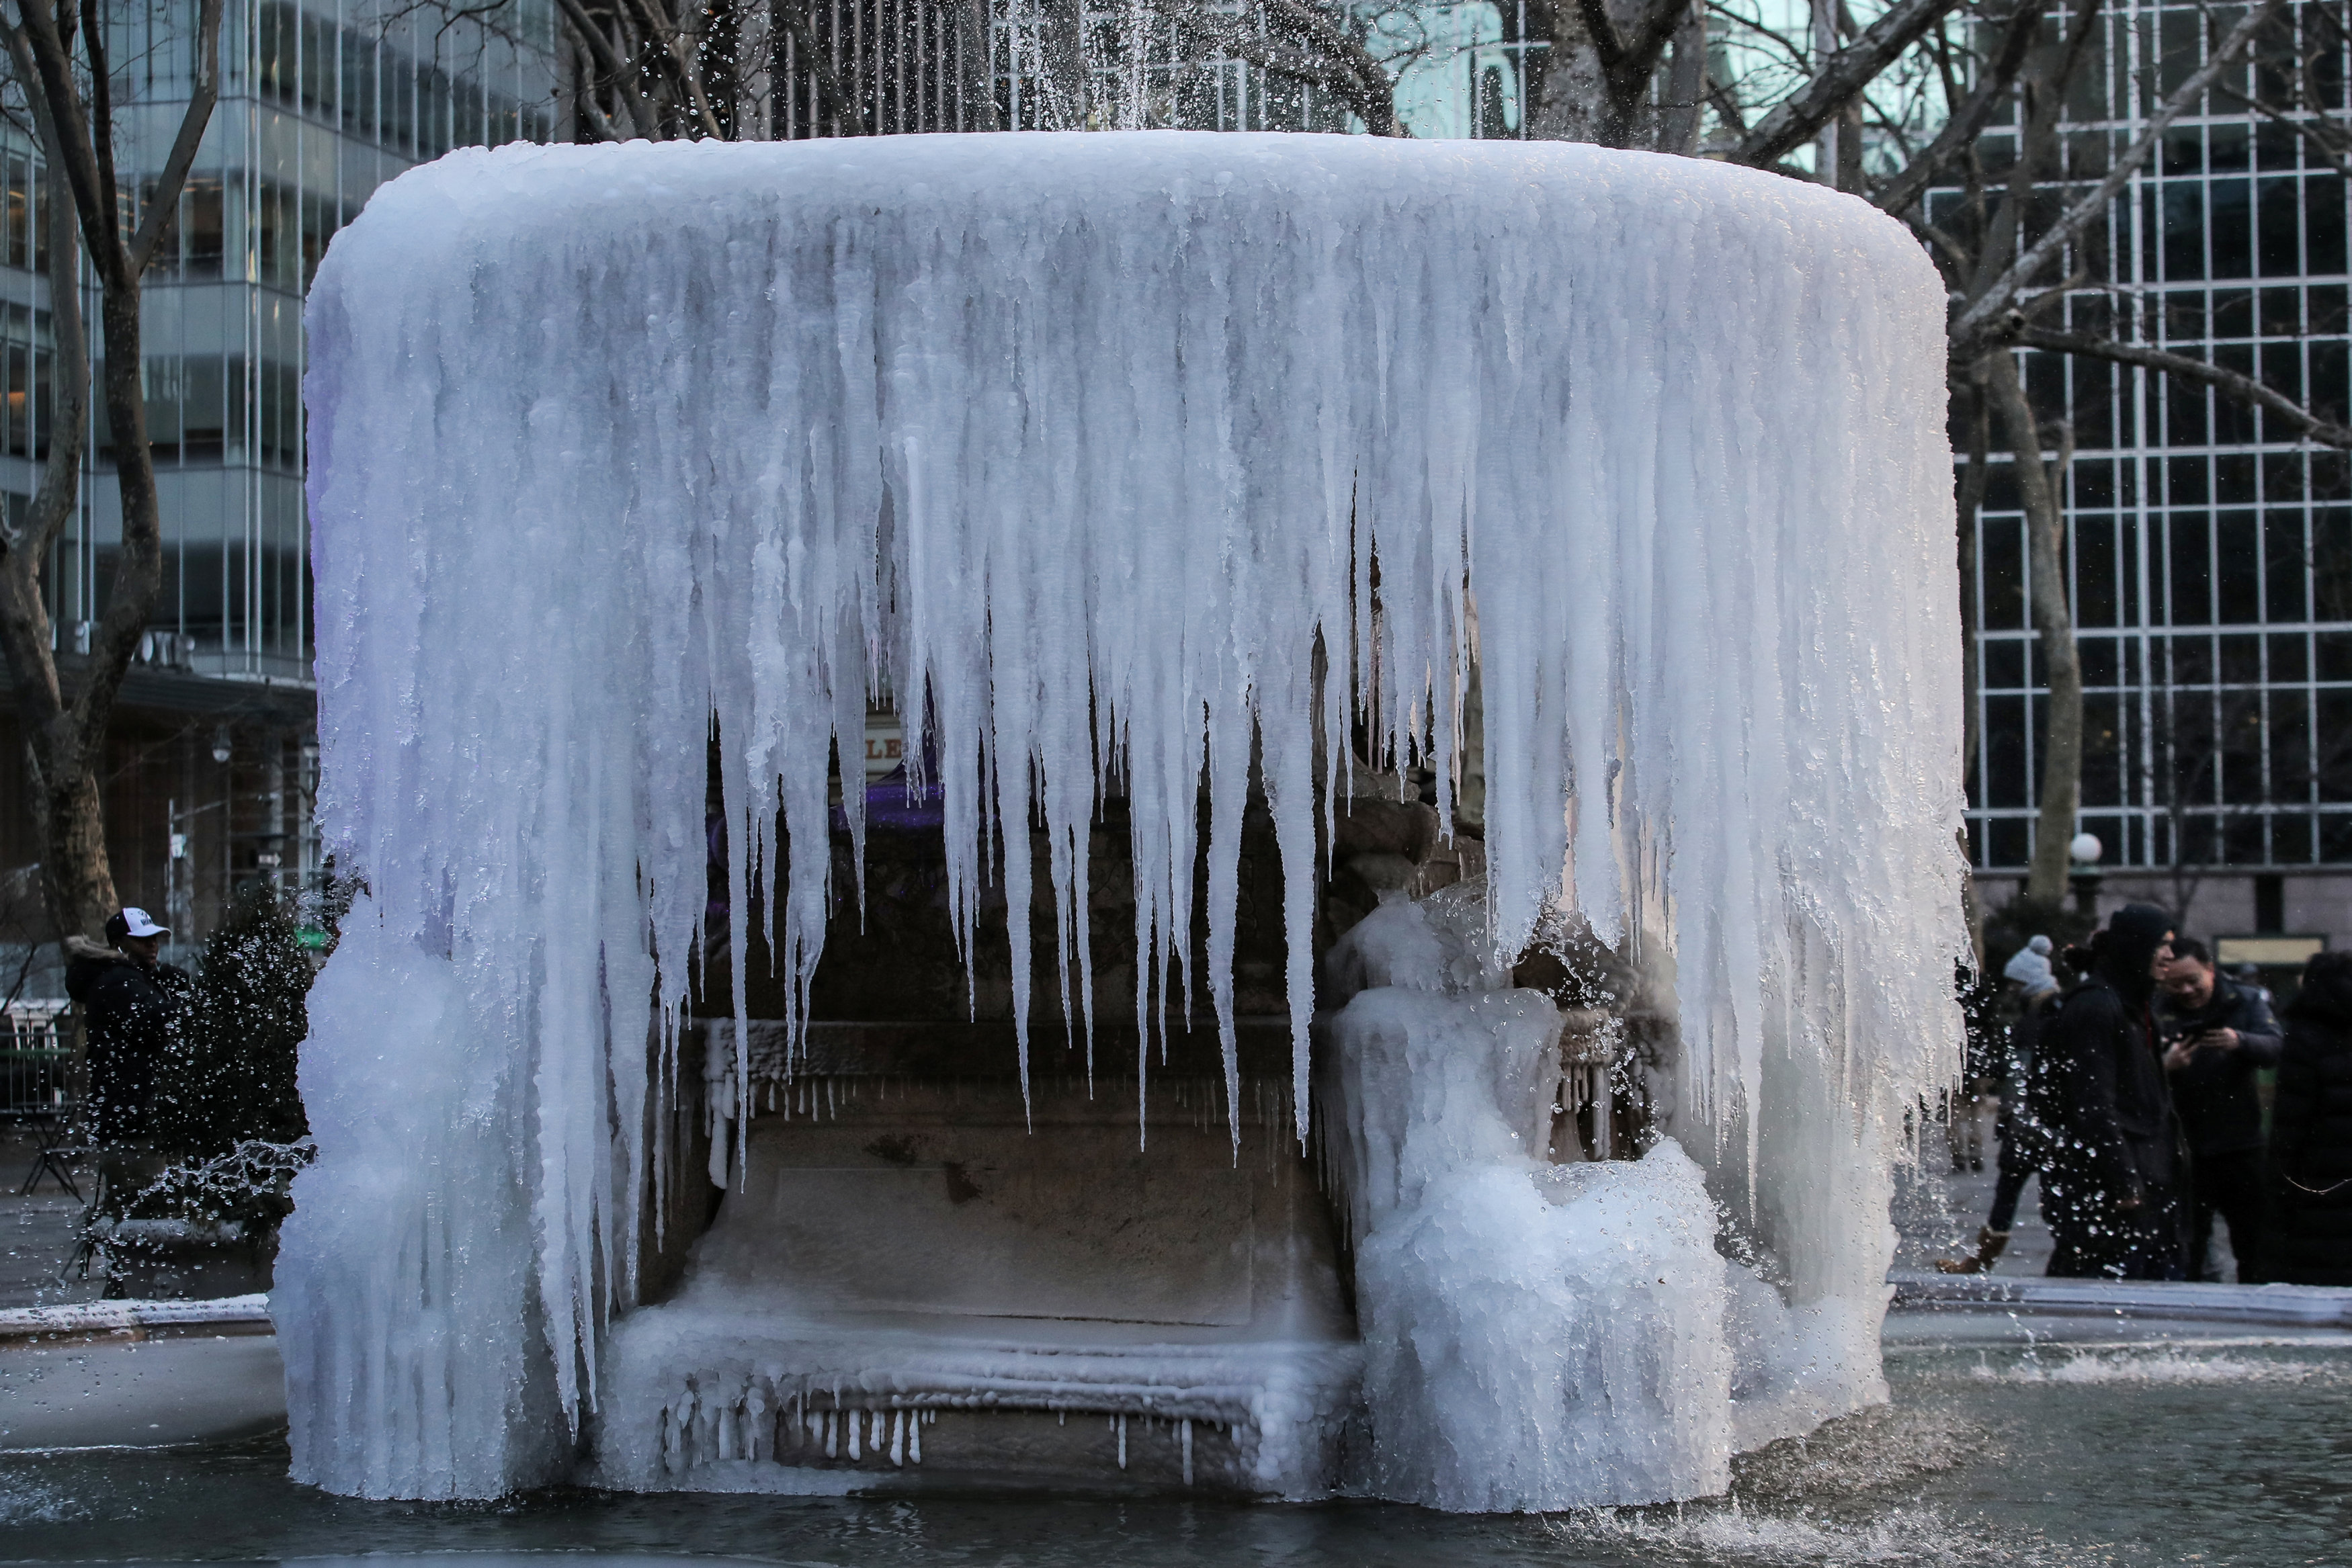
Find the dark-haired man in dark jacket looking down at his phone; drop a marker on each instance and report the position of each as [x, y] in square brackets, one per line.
[2221, 1038]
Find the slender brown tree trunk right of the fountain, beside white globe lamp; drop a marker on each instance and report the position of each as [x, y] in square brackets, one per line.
[2054, 624]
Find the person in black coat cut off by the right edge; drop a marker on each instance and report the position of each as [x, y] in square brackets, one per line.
[2311, 1134]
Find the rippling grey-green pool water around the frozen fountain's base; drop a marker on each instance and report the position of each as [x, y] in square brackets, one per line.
[2087, 1449]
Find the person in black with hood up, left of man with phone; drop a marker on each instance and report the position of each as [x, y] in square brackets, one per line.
[2111, 1186]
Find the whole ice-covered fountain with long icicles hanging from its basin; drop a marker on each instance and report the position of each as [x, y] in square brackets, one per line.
[1172, 469]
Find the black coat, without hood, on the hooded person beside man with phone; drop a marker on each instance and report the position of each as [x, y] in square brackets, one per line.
[2099, 1097]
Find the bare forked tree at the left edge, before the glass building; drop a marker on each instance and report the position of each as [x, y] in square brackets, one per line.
[69, 88]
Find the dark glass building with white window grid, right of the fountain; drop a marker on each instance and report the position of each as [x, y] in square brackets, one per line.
[2210, 549]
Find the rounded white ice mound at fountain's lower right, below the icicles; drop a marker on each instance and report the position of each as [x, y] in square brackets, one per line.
[1539, 1336]
